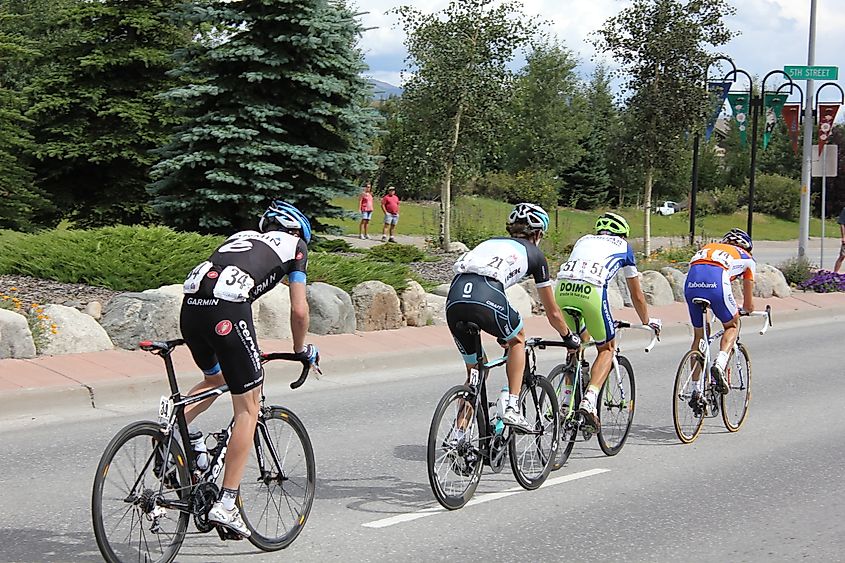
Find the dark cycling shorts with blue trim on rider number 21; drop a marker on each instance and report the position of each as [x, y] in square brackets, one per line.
[480, 300]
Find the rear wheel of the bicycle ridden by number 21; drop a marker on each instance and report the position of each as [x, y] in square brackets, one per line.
[462, 459]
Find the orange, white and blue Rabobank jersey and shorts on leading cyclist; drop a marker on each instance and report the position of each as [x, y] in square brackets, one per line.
[711, 270]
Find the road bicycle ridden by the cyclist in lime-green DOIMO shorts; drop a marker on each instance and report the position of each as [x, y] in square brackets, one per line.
[616, 399]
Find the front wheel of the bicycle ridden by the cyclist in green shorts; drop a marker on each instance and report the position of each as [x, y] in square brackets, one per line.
[616, 406]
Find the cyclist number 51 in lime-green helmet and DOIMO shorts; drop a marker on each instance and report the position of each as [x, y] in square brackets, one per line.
[582, 284]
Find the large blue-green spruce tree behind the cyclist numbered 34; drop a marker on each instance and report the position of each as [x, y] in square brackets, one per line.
[277, 110]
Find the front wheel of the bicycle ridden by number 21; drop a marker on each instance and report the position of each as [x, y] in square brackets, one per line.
[532, 455]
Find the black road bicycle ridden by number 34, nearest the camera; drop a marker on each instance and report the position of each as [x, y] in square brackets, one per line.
[148, 485]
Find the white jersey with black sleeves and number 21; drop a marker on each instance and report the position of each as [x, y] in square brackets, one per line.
[507, 260]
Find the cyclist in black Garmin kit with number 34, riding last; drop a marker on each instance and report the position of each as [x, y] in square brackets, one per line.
[216, 323]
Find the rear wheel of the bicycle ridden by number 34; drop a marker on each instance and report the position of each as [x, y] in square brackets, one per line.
[129, 458]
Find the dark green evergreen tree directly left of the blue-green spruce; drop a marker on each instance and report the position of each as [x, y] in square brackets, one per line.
[93, 98]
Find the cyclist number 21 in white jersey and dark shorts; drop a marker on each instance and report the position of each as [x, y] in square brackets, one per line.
[477, 295]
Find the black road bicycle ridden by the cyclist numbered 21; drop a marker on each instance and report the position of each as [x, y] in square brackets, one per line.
[466, 434]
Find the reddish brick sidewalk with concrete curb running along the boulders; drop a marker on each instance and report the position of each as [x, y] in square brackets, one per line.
[93, 379]
